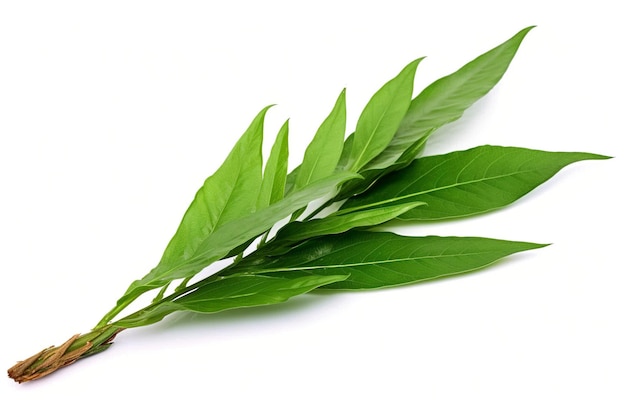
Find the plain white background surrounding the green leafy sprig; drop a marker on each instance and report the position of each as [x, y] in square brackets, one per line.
[113, 113]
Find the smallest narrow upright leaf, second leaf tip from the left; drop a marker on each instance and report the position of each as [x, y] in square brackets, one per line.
[274, 177]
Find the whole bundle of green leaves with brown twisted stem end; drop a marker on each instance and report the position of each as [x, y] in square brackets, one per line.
[288, 233]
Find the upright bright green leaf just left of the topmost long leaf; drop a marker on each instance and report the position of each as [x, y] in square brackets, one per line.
[381, 117]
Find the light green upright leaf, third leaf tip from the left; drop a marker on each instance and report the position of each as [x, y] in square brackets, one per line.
[322, 154]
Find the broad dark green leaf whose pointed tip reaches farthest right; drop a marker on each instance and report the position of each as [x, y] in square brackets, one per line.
[467, 182]
